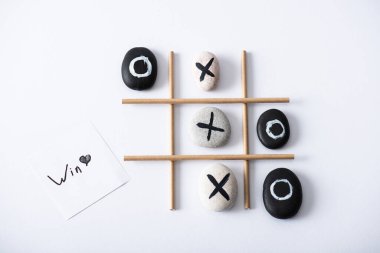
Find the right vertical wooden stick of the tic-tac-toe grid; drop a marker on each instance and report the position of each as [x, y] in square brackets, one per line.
[247, 198]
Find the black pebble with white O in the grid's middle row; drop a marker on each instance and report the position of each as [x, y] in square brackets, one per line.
[273, 129]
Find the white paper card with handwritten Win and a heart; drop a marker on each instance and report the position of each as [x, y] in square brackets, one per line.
[78, 170]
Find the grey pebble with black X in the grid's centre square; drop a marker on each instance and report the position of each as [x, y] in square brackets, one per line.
[210, 127]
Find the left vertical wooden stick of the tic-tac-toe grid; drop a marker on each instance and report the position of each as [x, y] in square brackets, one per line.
[172, 133]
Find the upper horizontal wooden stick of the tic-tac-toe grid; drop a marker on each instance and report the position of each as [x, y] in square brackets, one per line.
[202, 100]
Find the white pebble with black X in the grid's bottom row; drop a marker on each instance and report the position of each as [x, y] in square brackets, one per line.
[217, 187]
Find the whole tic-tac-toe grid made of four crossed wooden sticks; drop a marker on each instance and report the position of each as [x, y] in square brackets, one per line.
[172, 157]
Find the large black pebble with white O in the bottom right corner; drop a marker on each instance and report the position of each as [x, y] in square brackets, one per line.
[282, 193]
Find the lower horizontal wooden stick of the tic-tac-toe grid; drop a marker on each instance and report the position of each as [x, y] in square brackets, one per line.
[207, 157]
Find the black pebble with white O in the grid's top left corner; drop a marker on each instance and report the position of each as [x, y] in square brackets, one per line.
[139, 68]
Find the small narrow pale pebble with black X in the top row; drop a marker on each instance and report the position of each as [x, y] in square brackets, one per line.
[206, 70]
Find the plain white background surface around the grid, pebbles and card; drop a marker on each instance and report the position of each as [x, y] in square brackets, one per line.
[60, 61]
